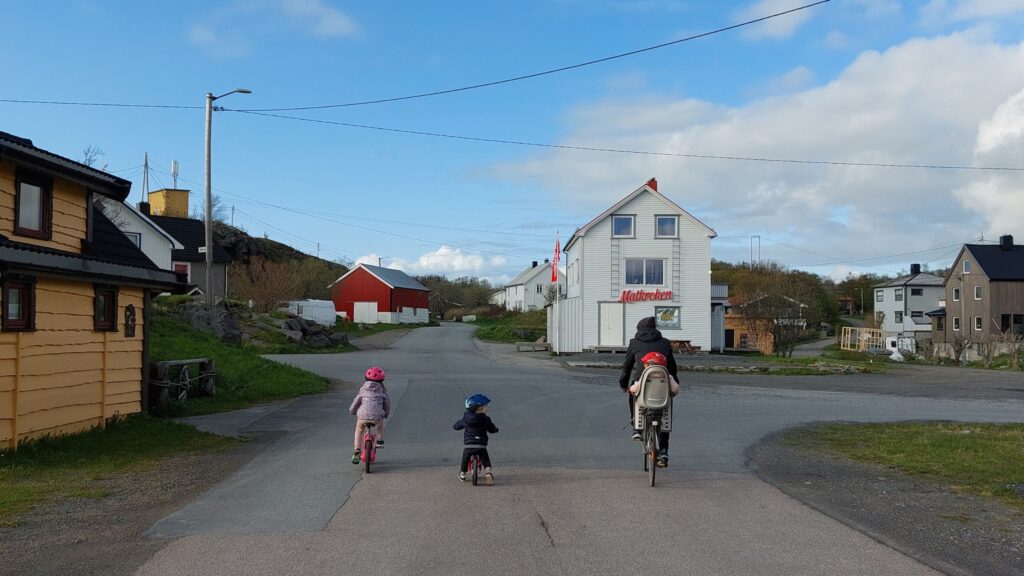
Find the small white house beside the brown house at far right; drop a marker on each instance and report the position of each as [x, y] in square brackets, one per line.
[903, 304]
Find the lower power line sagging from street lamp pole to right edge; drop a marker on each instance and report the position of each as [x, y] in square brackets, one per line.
[635, 152]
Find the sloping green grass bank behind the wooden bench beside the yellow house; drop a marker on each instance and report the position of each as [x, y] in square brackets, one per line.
[243, 378]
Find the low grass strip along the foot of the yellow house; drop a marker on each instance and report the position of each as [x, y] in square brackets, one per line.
[53, 469]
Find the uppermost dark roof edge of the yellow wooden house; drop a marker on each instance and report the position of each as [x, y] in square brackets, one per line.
[25, 153]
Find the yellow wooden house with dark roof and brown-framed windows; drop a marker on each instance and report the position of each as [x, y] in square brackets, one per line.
[75, 297]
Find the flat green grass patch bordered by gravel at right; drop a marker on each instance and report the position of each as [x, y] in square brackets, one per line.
[983, 460]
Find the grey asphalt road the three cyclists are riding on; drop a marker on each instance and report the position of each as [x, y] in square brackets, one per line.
[571, 497]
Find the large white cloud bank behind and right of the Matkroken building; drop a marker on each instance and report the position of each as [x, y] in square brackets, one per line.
[953, 100]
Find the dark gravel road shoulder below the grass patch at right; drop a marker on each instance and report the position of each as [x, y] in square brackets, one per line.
[955, 533]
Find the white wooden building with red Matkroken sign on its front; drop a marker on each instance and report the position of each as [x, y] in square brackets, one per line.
[644, 257]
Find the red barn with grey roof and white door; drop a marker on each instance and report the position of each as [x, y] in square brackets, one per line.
[372, 295]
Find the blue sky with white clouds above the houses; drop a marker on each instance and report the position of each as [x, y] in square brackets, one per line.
[480, 182]
